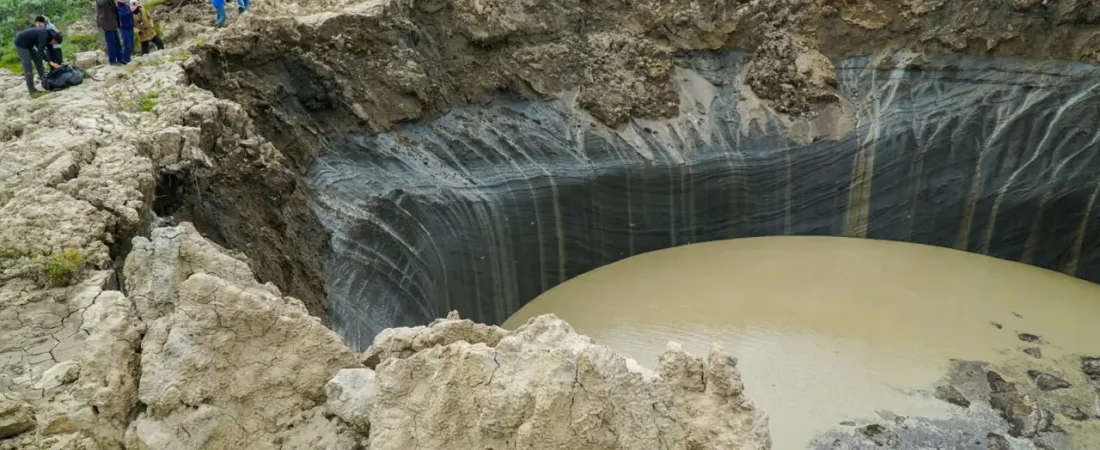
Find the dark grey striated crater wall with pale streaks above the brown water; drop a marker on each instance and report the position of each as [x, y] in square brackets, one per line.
[483, 210]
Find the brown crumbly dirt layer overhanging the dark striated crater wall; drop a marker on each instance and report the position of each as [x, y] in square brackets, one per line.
[369, 65]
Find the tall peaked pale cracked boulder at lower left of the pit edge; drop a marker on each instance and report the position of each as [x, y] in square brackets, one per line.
[227, 364]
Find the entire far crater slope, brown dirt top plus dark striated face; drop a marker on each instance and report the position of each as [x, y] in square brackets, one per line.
[466, 162]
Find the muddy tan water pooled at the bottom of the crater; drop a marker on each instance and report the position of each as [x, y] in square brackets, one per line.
[831, 330]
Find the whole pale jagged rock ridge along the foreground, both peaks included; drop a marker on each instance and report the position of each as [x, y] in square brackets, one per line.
[201, 356]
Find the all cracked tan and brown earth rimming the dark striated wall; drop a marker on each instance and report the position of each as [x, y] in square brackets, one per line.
[183, 348]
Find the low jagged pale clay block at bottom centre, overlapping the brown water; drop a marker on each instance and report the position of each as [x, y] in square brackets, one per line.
[544, 387]
